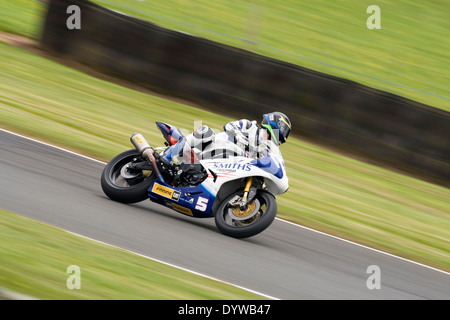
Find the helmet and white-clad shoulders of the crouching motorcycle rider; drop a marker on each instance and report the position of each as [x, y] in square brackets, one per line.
[275, 126]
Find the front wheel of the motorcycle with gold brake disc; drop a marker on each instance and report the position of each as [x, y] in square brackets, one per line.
[237, 223]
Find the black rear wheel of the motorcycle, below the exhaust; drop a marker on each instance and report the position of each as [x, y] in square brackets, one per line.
[122, 182]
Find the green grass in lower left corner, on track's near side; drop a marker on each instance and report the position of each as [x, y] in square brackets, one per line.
[35, 257]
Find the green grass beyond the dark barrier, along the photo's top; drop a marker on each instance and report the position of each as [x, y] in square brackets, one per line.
[410, 49]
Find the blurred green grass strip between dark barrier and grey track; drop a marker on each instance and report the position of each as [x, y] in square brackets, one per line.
[328, 192]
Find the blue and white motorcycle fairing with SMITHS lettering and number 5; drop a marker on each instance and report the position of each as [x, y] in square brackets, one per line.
[230, 165]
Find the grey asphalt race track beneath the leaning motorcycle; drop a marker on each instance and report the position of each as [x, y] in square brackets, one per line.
[286, 261]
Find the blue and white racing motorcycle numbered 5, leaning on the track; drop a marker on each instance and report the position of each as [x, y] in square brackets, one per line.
[201, 175]
